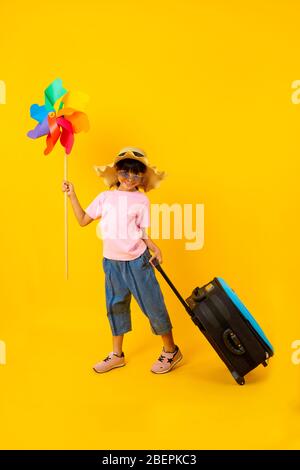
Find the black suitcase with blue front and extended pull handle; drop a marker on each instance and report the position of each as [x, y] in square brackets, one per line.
[227, 325]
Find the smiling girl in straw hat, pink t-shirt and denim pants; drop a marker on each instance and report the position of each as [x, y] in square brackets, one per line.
[127, 262]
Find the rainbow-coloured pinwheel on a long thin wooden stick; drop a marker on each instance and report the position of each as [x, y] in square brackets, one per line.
[60, 117]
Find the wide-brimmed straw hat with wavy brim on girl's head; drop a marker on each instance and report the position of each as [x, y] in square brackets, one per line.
[151, 178]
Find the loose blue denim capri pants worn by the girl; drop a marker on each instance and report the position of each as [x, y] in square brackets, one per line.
[135, 277]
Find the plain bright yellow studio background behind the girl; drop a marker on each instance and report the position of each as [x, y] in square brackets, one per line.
[205, 88]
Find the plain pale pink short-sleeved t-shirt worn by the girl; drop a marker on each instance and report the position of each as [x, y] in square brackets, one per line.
[123, 216]
